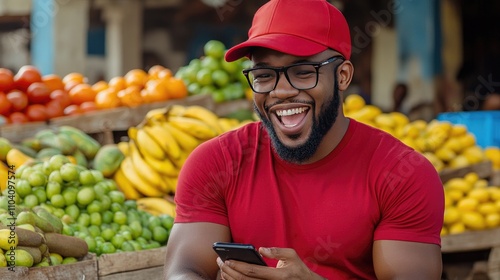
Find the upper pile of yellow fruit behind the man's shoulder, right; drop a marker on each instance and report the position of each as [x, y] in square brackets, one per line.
[445, 145]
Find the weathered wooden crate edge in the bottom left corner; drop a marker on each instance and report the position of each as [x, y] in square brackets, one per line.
[84, 269]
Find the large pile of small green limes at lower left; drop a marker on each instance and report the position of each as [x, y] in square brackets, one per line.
[90, 206]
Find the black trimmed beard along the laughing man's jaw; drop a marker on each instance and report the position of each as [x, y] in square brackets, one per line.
[321, 126]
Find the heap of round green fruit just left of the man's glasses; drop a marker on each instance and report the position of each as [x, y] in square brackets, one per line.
[211, 74]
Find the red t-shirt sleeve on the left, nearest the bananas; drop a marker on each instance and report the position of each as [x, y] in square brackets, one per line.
[199, 194]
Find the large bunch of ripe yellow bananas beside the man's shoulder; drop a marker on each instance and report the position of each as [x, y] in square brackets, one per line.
[159, 146]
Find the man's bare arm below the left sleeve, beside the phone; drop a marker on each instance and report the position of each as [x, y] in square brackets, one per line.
[189, 250]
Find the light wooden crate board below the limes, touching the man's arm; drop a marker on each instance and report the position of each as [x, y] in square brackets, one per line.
[146, 264]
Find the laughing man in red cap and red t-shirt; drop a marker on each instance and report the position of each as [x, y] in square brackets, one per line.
[320, 195]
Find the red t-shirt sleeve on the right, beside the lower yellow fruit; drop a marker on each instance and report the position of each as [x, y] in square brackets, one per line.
[411, 201]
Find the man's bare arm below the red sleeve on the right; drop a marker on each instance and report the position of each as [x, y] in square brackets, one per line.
[406, 260]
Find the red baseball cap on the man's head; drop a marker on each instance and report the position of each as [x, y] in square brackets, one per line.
[296, 27]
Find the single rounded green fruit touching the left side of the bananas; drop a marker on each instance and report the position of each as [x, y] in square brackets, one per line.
[108, 159]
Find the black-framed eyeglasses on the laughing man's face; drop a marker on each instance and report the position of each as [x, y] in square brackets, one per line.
[301, 76]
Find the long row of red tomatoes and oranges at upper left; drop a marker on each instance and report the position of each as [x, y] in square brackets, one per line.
[28, 96]
